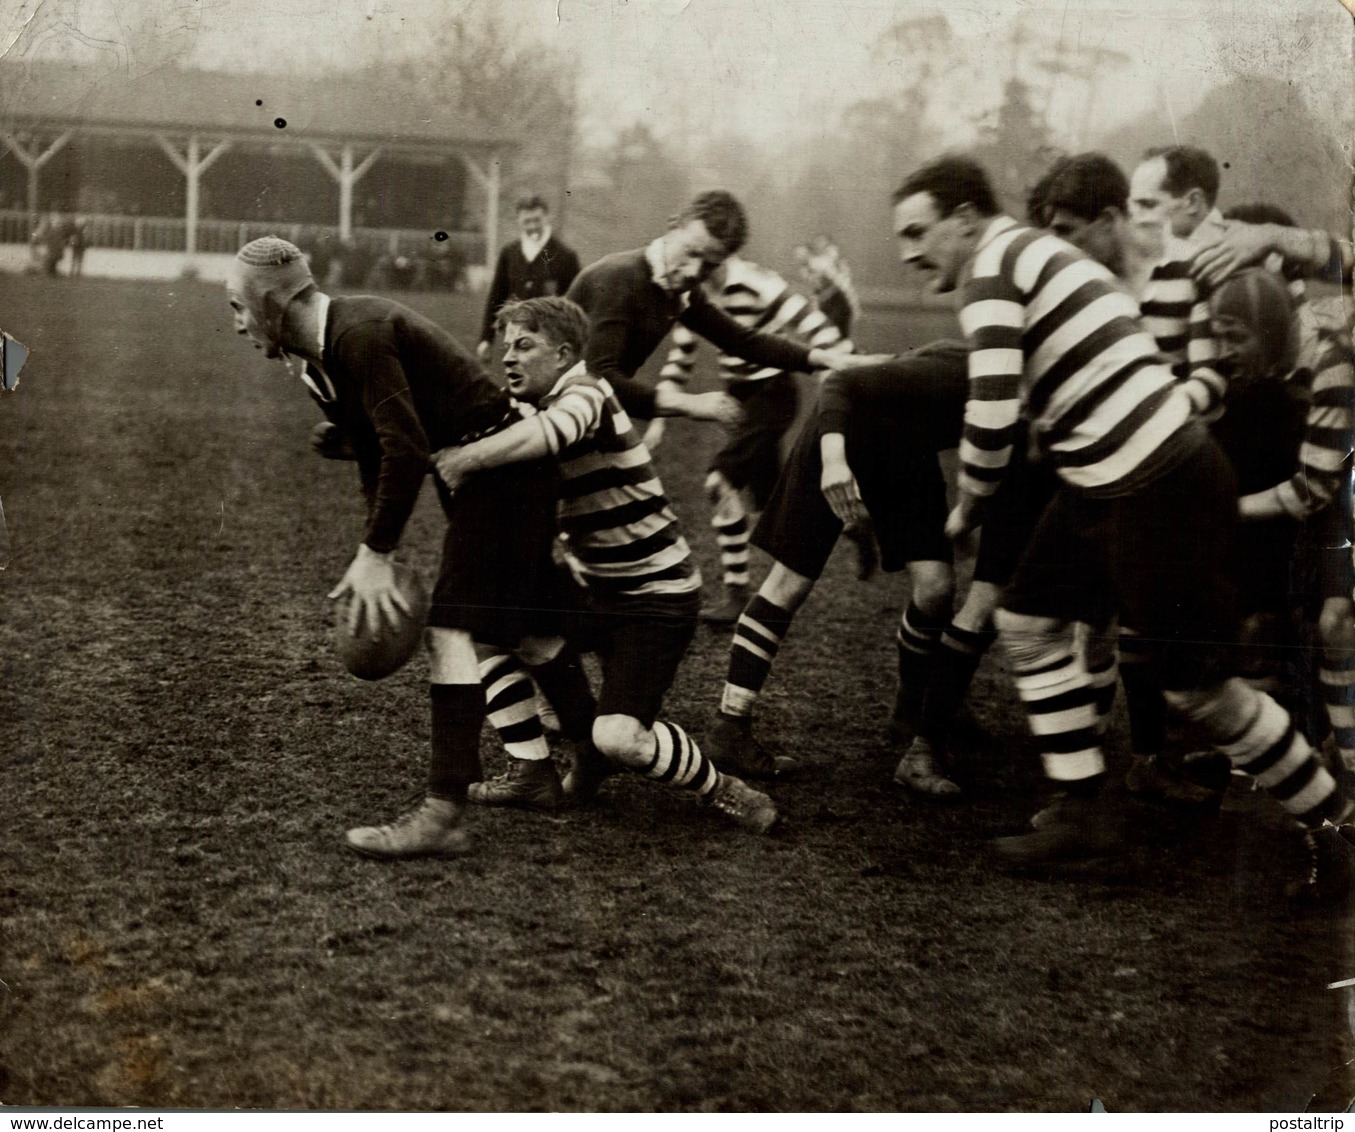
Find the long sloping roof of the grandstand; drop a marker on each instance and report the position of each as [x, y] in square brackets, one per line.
[352, 108]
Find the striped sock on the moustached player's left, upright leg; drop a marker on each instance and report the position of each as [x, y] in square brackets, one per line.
[1062, 707]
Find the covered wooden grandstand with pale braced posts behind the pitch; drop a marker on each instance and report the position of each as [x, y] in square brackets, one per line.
[192, 165]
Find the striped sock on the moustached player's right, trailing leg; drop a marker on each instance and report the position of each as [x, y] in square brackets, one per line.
[1269, 749]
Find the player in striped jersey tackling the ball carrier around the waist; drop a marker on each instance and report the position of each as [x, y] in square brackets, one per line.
[624, 544]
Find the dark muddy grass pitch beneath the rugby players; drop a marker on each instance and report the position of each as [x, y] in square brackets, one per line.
[181, 754]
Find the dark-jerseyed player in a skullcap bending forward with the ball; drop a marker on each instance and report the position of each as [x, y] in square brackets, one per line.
[398, 386]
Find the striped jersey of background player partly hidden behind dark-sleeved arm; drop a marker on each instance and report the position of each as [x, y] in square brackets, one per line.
[759, 299]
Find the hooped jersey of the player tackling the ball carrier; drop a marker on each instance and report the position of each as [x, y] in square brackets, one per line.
[619, 529]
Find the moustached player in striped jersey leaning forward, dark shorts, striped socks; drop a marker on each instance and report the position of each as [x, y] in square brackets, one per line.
[1140, 524]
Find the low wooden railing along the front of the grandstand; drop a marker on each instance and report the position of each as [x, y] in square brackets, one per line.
[167, 235]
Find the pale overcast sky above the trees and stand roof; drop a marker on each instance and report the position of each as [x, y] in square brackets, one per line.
[773, 70]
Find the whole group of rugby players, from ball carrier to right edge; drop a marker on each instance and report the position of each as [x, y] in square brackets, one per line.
[1154, 425]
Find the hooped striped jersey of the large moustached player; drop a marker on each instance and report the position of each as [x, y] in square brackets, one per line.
[1054, 338]
